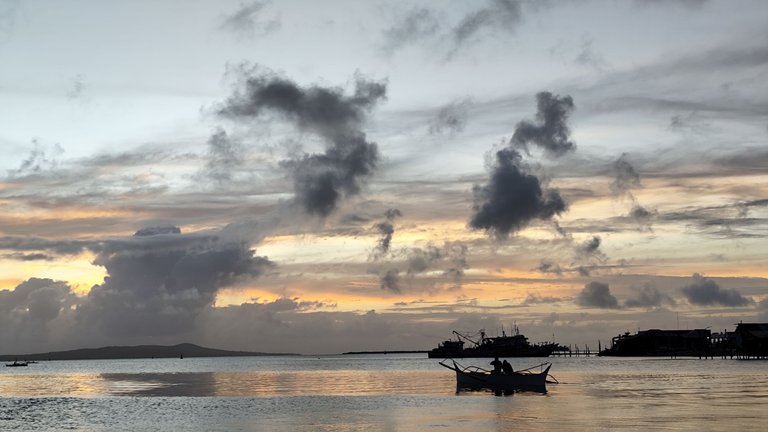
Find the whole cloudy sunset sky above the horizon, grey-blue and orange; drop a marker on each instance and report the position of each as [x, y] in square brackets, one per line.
[322, 177]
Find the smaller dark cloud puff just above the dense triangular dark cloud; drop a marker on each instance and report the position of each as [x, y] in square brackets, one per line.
[551, 133]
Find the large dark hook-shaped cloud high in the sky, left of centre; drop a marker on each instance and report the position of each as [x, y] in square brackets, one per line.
[320, 180]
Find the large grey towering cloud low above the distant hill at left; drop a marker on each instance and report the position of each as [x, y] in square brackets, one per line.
[159, 281]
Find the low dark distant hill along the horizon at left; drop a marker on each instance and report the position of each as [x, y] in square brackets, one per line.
[141, 351]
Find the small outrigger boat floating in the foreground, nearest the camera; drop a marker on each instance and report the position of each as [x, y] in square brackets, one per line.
[477, 378]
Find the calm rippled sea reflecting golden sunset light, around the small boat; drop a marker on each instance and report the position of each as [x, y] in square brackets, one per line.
[379, 393]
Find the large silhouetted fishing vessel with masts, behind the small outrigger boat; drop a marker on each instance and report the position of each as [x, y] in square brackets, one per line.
[515, 345]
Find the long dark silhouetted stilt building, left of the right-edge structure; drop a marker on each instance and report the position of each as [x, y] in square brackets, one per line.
[655, 342]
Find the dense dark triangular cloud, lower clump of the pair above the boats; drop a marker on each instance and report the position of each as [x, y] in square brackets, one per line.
[512, 198]
